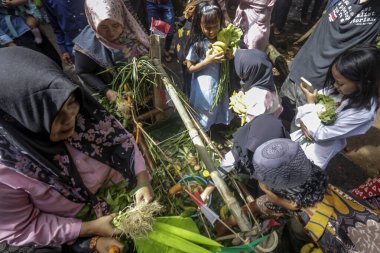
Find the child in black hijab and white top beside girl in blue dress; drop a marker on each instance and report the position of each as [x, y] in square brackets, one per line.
[255, 72]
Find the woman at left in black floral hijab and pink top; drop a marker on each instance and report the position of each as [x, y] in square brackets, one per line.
[57, 146]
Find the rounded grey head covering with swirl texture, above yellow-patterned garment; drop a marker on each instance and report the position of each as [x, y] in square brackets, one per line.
[281, 164]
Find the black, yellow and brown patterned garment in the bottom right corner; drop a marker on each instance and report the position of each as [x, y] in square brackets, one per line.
[341, 224]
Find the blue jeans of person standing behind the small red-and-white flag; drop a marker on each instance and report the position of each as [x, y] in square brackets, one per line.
[164, 12]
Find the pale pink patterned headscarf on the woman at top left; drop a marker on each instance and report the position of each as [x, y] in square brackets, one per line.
[100, 10]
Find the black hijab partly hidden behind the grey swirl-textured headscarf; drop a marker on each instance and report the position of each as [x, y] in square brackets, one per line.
[249, 137]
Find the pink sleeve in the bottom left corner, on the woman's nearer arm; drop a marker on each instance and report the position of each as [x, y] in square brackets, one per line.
[23, 224]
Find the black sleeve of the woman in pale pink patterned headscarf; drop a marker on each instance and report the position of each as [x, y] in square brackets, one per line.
[87, 69]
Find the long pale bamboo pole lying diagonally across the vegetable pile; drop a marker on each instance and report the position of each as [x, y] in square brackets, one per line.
[222, 187]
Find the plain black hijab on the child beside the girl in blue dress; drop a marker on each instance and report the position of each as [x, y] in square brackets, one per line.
[254, 69]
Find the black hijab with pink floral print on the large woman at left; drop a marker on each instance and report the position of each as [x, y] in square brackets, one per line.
[33, 90]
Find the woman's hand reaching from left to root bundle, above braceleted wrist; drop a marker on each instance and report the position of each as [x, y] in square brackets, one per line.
[101, 227]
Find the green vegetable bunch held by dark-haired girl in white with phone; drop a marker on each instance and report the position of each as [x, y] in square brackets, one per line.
[327, 109]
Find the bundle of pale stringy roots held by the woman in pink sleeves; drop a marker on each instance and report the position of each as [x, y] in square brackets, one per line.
[136, 221]
